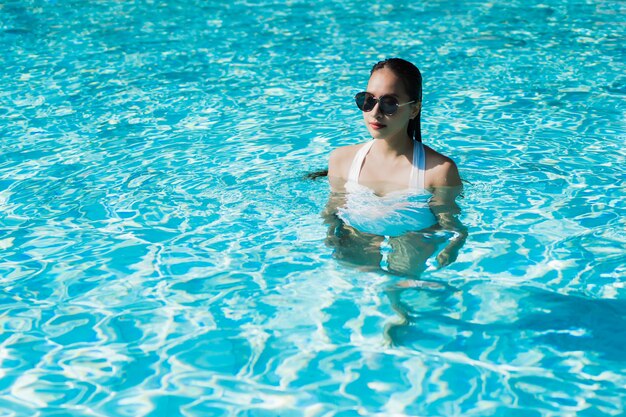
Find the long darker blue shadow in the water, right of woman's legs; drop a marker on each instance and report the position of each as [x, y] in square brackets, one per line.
[470, 319]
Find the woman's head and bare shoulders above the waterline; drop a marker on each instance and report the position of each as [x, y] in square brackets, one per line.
[391, 108]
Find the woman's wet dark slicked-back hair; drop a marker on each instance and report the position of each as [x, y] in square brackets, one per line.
[412, 80]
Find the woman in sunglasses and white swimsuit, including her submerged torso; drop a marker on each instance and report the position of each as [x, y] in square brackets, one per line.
[388, 189]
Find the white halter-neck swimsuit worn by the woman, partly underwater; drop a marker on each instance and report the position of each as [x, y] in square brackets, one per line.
[393, 214]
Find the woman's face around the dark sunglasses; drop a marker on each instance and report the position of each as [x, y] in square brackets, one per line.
[385, 82]
